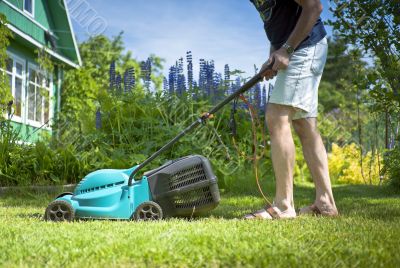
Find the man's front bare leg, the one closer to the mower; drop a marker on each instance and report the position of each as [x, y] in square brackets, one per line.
[279, 119]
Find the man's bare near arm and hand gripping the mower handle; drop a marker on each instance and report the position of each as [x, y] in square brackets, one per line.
[311, 10]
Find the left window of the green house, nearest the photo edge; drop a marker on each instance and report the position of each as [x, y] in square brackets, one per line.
[15, 70]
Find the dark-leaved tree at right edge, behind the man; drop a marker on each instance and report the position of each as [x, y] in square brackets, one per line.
[374, 27]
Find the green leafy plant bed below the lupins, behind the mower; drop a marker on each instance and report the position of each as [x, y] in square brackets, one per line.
[133, 126]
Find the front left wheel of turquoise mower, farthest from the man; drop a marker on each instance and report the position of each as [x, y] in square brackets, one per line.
[59, 210]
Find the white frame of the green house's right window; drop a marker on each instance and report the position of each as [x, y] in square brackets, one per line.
[34, 123]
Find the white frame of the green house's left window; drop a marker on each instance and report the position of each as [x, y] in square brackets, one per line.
[15, 59]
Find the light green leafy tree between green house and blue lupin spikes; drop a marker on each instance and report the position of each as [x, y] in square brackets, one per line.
[103, 61]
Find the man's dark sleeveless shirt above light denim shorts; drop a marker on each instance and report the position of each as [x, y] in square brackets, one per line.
[280, 17]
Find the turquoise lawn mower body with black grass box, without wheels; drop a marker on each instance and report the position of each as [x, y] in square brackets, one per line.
[182, 187]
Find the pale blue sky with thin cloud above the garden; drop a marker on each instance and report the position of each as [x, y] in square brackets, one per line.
[227, 31]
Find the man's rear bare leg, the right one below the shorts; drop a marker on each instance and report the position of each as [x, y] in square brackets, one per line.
[317, 161]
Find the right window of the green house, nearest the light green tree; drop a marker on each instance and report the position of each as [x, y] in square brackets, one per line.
[38, 97]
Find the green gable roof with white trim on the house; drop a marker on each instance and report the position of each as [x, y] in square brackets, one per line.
[52, 20]
